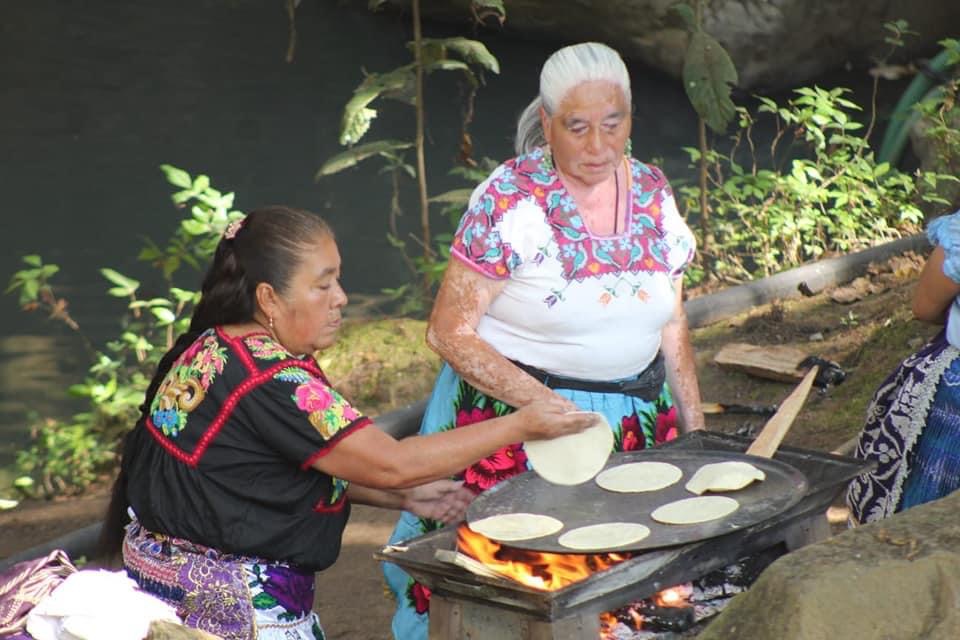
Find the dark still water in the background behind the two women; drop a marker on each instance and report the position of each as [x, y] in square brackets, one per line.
[97, 94]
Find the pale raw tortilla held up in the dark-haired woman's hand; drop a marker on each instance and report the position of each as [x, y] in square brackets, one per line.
[573, 458]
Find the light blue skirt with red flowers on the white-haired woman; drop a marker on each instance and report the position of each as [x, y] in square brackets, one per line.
[636, 424]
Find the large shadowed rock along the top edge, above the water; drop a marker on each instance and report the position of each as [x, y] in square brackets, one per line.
[774, 43]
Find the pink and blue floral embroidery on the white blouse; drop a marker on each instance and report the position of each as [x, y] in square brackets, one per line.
[643, 248]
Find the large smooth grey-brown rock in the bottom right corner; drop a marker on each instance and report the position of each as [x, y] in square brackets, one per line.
[897, 579]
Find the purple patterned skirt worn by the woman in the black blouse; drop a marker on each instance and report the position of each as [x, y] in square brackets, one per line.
[233, 597]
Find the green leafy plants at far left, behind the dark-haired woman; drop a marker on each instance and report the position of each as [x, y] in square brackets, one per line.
[67, 455]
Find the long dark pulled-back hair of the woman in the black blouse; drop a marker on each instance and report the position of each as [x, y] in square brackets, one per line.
[267, 247]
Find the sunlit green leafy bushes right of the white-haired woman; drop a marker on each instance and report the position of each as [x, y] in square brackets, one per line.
[824, 194]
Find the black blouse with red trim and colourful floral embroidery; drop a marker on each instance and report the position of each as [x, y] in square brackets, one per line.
[224, 456]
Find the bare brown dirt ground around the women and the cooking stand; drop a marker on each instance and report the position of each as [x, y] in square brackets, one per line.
[864, 327]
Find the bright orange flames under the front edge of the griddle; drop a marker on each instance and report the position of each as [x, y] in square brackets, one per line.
[539, 570]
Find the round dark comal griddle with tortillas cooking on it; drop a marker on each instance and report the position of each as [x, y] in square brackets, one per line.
[587, 503]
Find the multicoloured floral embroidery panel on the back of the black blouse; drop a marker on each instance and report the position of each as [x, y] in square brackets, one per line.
[186, 384]
